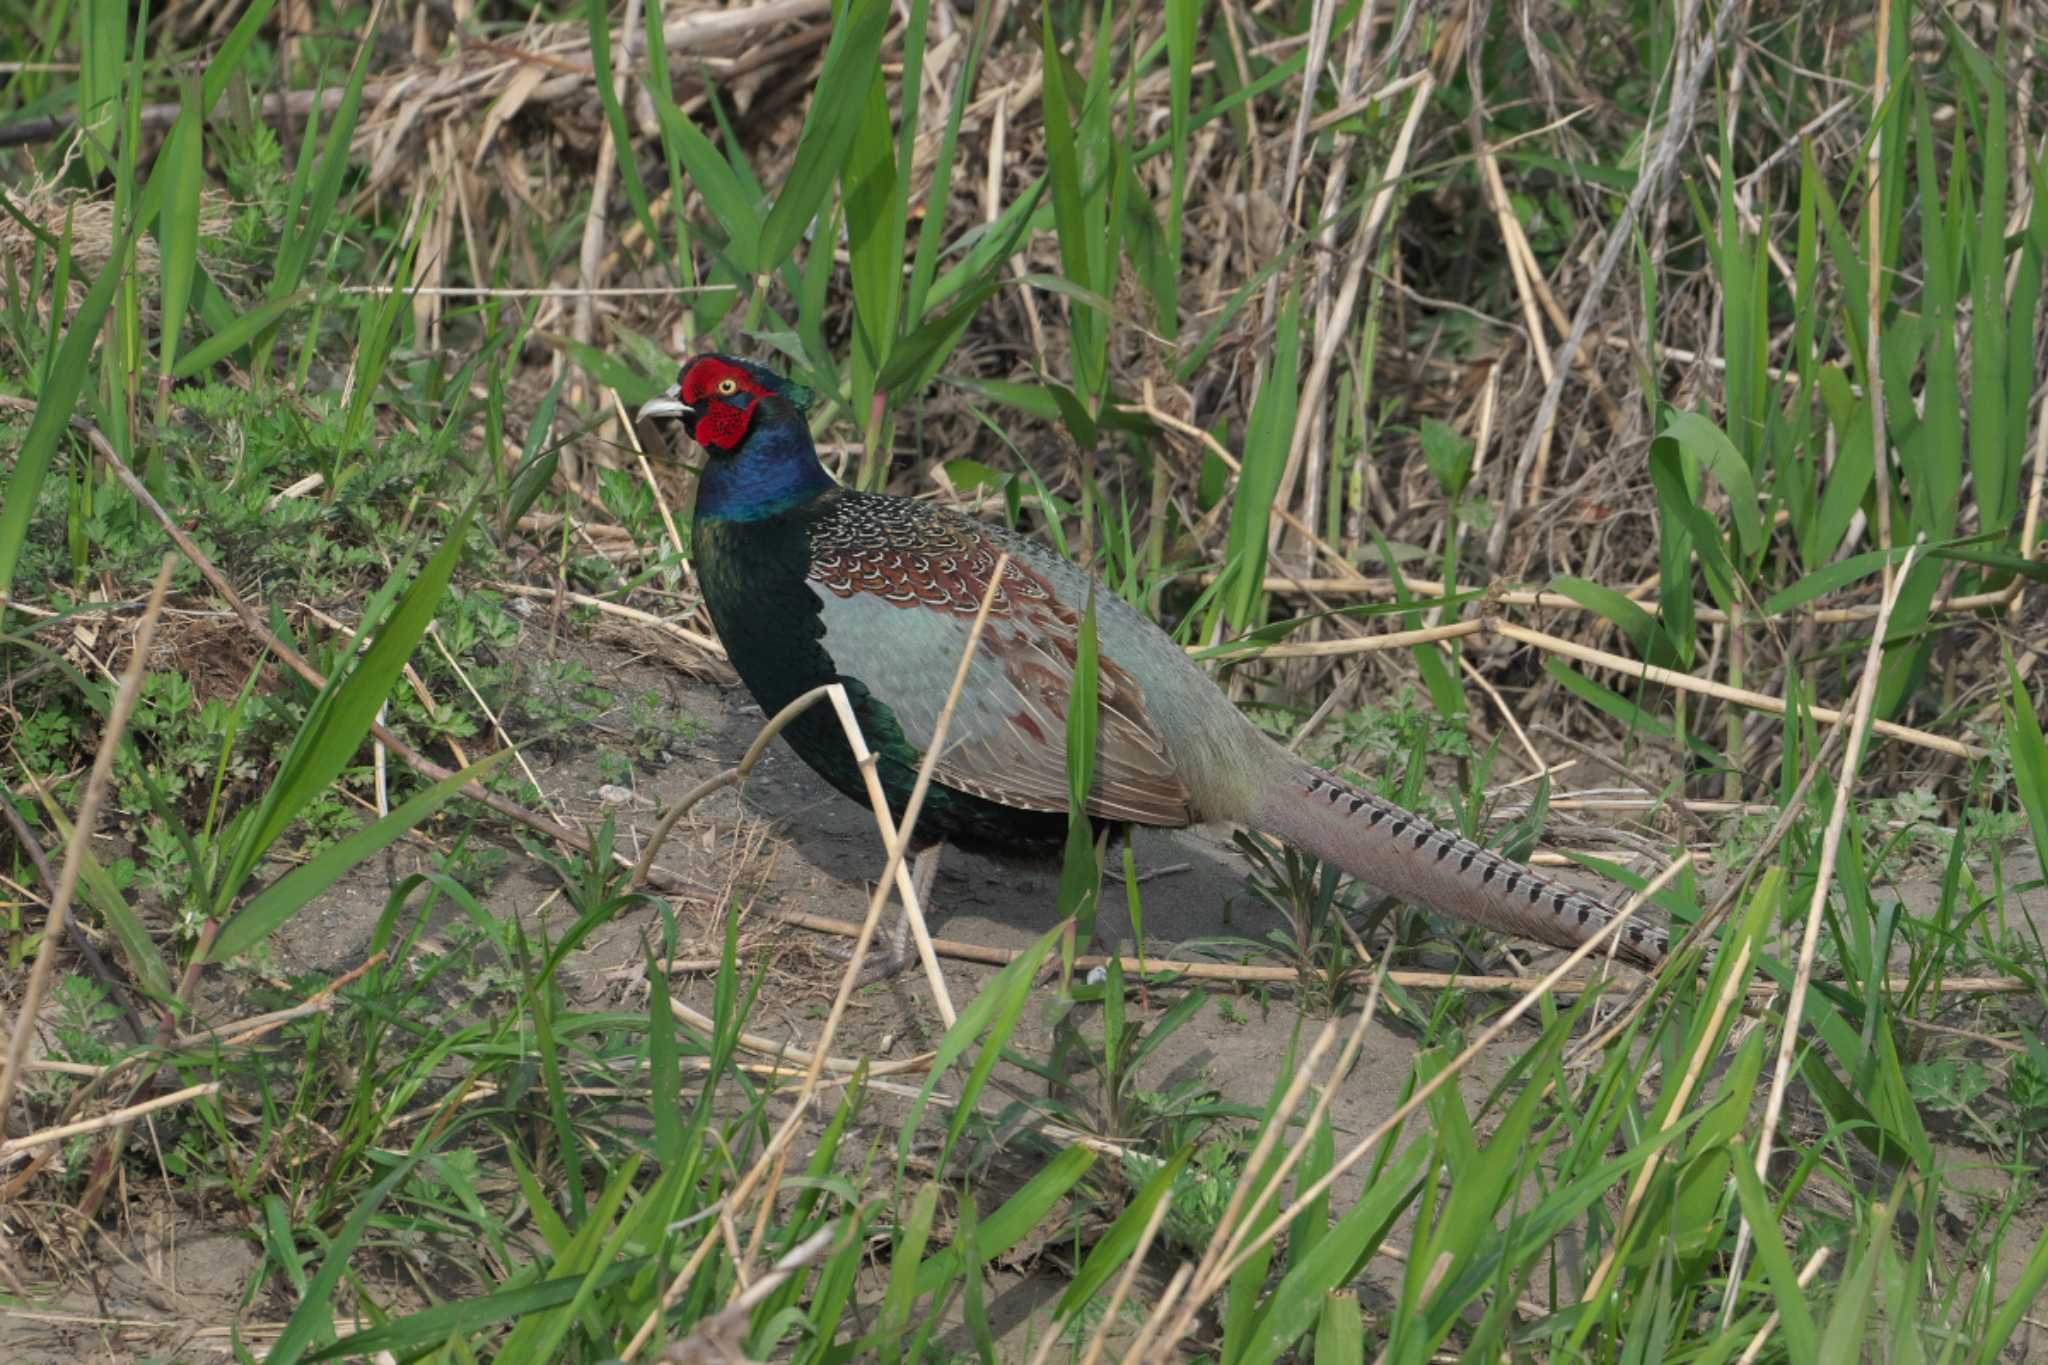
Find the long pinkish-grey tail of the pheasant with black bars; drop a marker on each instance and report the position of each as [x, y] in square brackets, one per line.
[1404, 854]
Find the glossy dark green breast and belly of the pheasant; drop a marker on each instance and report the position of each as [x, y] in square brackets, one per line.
[771, 621]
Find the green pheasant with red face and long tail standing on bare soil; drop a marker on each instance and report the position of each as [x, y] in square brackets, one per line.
[810, 582]
